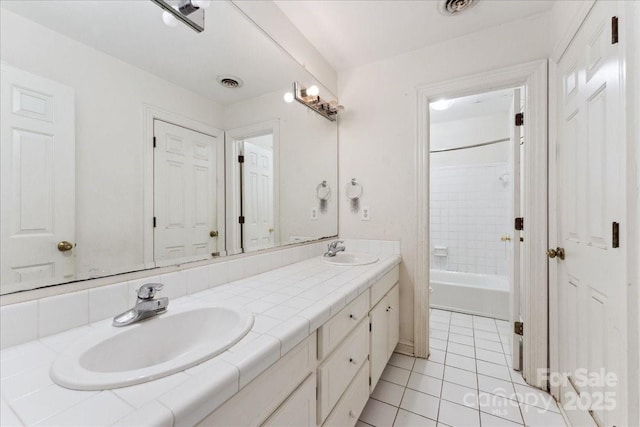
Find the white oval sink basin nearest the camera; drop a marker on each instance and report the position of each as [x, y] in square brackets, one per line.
[154, 348]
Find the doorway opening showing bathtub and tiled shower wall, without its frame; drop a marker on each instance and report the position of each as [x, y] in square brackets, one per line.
[474, 180]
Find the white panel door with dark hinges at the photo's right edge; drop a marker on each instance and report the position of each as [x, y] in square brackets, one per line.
[591, 192]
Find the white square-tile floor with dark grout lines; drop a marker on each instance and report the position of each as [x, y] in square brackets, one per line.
[466, 382]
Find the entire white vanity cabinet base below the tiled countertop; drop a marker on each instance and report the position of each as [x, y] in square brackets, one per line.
[327, 379]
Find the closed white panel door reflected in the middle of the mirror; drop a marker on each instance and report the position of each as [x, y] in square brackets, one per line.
[185, 199]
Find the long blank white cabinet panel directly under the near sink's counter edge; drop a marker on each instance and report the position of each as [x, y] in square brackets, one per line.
[253, 404]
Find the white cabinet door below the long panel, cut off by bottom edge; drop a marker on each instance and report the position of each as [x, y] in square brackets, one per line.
[299, 410]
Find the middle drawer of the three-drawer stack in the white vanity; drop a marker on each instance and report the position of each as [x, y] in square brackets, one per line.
[335, 374]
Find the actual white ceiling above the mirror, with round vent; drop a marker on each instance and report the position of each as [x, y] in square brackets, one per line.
[349, 33]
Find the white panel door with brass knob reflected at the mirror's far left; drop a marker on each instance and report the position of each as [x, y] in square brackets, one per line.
[38, 180]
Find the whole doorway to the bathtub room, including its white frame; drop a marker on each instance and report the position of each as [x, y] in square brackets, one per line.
[494, 257]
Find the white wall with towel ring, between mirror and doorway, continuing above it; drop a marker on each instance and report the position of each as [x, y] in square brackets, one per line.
[378, 130]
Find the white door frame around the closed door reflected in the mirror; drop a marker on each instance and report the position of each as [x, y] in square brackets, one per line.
[151, 113]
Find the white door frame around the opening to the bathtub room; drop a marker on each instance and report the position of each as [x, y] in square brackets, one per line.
[533, 76]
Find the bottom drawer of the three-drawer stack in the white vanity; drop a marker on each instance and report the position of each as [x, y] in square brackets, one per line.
[352, 403]
